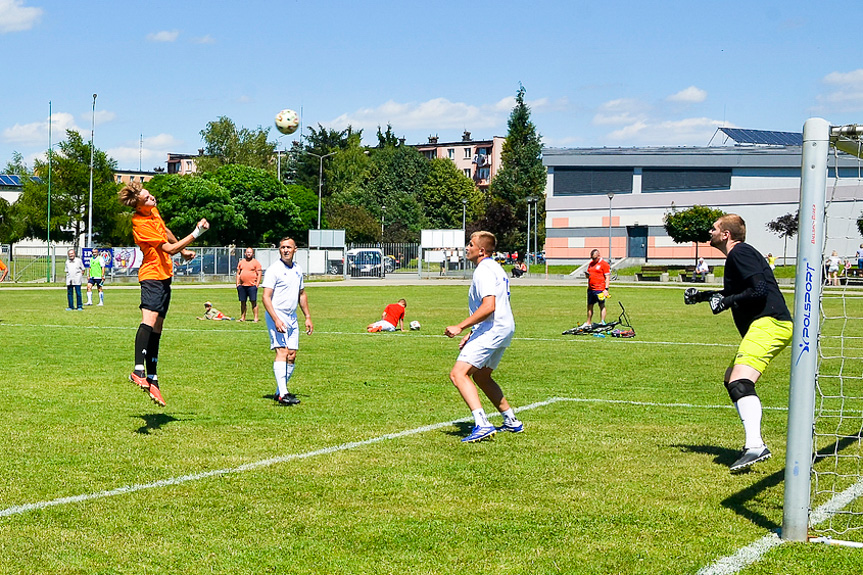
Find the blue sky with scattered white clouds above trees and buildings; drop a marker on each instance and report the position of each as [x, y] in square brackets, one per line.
[618, 73]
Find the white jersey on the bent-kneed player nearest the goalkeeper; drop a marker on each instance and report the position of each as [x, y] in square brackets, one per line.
[490, 279]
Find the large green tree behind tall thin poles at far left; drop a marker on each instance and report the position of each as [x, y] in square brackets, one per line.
[70, 196]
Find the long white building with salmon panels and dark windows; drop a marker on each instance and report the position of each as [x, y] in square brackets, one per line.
[627, 192]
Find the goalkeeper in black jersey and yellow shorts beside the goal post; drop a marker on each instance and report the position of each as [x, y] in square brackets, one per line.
[751, 293]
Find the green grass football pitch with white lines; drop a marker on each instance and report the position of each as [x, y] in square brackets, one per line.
[623, 467]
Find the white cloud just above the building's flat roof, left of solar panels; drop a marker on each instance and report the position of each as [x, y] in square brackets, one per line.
[685, 132]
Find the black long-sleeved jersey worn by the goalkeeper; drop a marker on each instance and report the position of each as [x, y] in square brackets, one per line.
[745, 268]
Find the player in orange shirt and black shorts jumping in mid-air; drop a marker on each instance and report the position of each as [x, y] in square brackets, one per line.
[158, 244]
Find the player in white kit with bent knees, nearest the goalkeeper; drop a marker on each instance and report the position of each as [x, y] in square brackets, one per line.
[483, 347]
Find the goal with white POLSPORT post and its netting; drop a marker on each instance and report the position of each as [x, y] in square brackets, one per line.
[824, 457]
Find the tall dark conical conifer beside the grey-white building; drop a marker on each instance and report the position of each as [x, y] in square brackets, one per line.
[521, 175]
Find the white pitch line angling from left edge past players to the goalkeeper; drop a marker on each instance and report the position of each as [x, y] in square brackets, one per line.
[27, 507]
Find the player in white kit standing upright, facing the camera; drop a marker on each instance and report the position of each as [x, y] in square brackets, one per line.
[283, 292]
